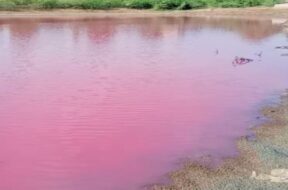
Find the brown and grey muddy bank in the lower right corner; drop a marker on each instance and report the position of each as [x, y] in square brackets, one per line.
[262, 162]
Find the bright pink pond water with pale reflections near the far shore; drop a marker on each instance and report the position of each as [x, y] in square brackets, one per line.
[114, 104]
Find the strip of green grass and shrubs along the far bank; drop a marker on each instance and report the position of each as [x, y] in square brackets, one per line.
[133, 4]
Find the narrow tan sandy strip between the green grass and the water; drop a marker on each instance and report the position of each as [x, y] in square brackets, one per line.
[260, 13]
